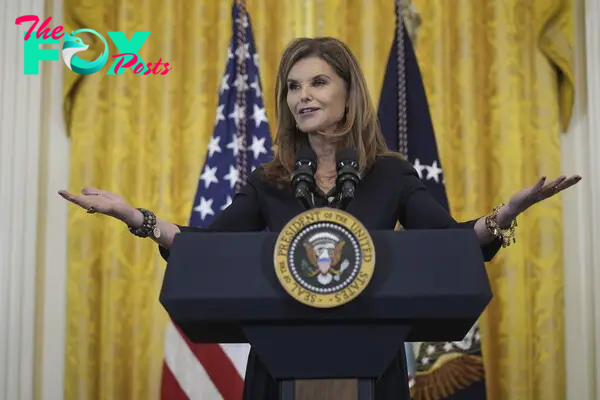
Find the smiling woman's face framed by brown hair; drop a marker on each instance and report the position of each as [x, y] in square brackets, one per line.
[316, 95]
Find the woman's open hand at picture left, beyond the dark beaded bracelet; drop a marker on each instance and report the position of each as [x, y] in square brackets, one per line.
[101, 201]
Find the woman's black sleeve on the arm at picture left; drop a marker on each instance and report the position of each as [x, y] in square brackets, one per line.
[242, 215]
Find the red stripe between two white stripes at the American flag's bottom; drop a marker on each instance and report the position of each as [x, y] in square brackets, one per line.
[218, 367]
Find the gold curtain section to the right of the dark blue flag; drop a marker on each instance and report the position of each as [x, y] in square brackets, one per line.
[500, 86]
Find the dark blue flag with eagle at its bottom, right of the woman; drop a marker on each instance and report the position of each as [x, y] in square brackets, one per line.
[411, 132]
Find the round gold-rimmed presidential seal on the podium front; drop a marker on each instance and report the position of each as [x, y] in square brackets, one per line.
[324, 257]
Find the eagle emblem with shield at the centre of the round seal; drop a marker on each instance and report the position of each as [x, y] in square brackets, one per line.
[325, 262]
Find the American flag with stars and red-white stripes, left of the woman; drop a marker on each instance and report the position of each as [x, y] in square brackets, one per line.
[240, 143]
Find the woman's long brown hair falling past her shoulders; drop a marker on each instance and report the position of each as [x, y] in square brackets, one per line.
[360, 128]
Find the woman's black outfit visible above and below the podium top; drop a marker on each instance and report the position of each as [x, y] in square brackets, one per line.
[390, 191]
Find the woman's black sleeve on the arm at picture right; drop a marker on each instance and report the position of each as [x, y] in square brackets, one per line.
[417, 209]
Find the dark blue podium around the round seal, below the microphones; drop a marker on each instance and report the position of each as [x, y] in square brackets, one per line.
[428, 285]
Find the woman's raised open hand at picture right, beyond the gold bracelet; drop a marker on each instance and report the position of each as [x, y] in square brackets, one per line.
[542, 190]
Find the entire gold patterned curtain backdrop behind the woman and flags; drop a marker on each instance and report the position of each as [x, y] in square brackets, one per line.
[495, 96]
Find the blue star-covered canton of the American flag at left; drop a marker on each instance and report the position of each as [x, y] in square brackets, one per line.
[216, 187]
